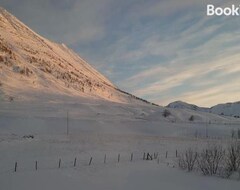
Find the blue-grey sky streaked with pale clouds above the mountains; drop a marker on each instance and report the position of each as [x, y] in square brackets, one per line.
[159, 50]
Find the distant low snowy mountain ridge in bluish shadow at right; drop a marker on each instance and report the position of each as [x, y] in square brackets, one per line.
[228, 109]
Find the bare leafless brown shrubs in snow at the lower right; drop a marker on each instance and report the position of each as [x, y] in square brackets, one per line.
[212, 160]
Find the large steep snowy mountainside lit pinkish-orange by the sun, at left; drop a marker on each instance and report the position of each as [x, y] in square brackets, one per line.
[31, 63]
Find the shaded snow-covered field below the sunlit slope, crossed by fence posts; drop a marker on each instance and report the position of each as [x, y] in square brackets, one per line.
[98, 128]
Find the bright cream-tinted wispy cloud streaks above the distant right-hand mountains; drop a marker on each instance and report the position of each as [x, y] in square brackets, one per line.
[211, 64]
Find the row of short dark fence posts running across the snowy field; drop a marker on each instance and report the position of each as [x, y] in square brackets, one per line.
[76, 162]
